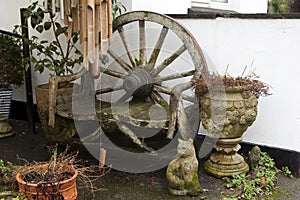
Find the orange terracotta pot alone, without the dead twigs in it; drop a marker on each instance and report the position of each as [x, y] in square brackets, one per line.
[65, 189]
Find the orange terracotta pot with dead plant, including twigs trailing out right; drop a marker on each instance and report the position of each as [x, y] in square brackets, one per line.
[57, 178]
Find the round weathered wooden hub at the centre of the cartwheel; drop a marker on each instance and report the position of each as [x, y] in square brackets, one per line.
[138, 82]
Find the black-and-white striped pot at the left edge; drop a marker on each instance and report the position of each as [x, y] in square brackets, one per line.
[5, 101]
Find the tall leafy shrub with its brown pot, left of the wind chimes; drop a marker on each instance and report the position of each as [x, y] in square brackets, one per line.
[59, 56]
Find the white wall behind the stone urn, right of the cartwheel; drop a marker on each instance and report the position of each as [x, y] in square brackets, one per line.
[273, 46]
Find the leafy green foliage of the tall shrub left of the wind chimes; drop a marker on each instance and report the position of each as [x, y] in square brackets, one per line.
[59, 55]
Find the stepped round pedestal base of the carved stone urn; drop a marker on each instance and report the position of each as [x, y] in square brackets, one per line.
[226, 161]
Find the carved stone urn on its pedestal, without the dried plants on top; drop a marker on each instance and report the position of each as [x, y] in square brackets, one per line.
[226, 115]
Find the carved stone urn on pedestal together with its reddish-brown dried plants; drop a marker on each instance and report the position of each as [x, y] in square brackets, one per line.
[228, 107]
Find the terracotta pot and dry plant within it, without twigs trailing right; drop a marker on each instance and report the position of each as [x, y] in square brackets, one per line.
[55, 179]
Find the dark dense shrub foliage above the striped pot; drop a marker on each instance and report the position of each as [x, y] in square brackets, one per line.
[11, 69]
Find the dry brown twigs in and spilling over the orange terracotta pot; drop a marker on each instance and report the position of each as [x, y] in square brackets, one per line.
[62, 164]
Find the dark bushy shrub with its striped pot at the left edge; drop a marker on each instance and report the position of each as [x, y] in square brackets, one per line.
[11, 70]
